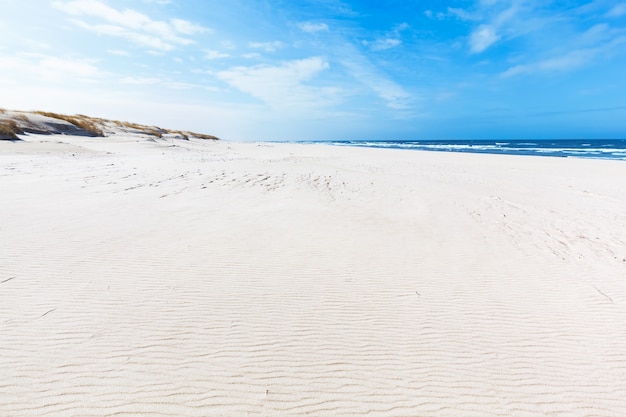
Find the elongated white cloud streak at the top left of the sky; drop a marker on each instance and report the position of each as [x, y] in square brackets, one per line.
[130, 24]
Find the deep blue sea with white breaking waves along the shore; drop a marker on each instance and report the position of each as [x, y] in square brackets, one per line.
[579, 148]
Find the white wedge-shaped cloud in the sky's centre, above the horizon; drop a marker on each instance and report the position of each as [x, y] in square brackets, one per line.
[282, 86]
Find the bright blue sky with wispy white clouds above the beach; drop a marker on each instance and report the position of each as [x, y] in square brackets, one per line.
[324, 69]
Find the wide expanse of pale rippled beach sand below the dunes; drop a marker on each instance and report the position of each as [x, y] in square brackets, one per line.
[222, 279]
